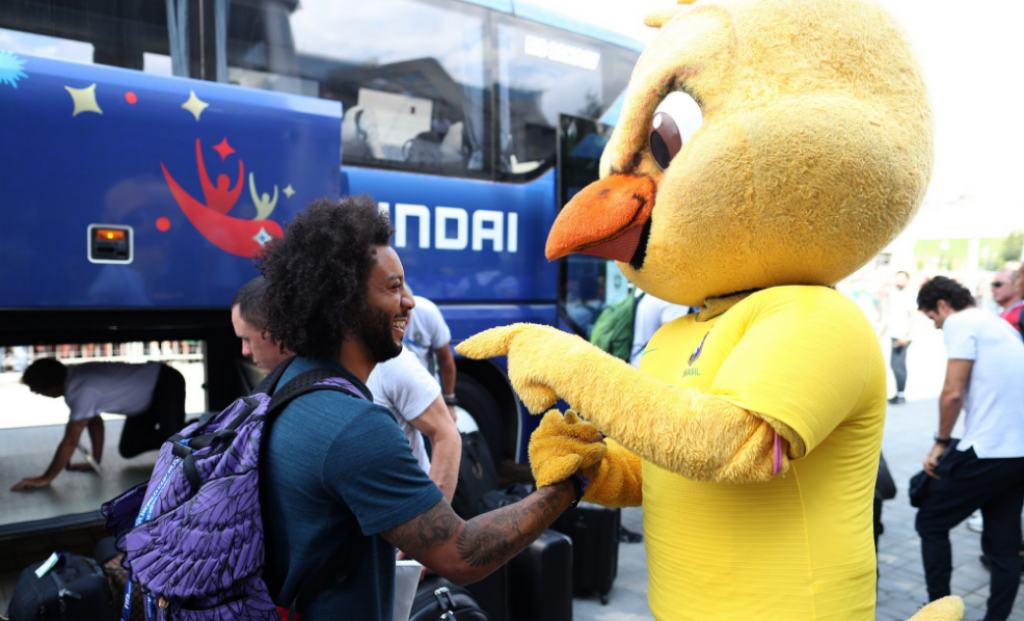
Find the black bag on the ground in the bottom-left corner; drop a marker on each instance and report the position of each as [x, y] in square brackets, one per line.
[74, 590]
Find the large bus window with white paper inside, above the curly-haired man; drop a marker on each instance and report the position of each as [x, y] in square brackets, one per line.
[410, 74]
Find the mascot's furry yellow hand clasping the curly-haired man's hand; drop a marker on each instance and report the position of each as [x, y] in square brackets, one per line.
[563, 445]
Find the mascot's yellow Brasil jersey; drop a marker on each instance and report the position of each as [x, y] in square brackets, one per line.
[806, 534]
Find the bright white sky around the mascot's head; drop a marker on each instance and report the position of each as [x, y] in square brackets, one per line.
[973, 57]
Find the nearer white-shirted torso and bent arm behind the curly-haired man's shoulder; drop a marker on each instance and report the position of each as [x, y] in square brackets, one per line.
[404, 387]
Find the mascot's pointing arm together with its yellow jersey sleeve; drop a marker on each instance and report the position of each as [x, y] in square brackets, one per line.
[778, 380]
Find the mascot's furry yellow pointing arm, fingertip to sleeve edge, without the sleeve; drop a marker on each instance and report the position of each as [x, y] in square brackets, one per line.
[695, 435]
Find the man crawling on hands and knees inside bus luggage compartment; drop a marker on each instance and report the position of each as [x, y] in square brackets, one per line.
[152, 396]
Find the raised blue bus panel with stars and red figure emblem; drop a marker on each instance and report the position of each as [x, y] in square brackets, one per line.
[97, 155]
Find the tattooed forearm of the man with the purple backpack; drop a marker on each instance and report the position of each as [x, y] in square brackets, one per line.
[498, 536]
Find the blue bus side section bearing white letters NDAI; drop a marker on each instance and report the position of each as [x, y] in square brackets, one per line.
[465, 241]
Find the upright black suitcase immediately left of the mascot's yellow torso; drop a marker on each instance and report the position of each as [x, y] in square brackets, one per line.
[594, 531]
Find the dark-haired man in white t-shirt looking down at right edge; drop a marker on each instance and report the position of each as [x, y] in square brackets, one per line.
[987, 470]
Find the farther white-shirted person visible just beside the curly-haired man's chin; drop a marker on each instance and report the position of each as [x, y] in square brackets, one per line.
[430, 338]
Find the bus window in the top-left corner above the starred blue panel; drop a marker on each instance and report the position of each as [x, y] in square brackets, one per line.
[133, 35]
